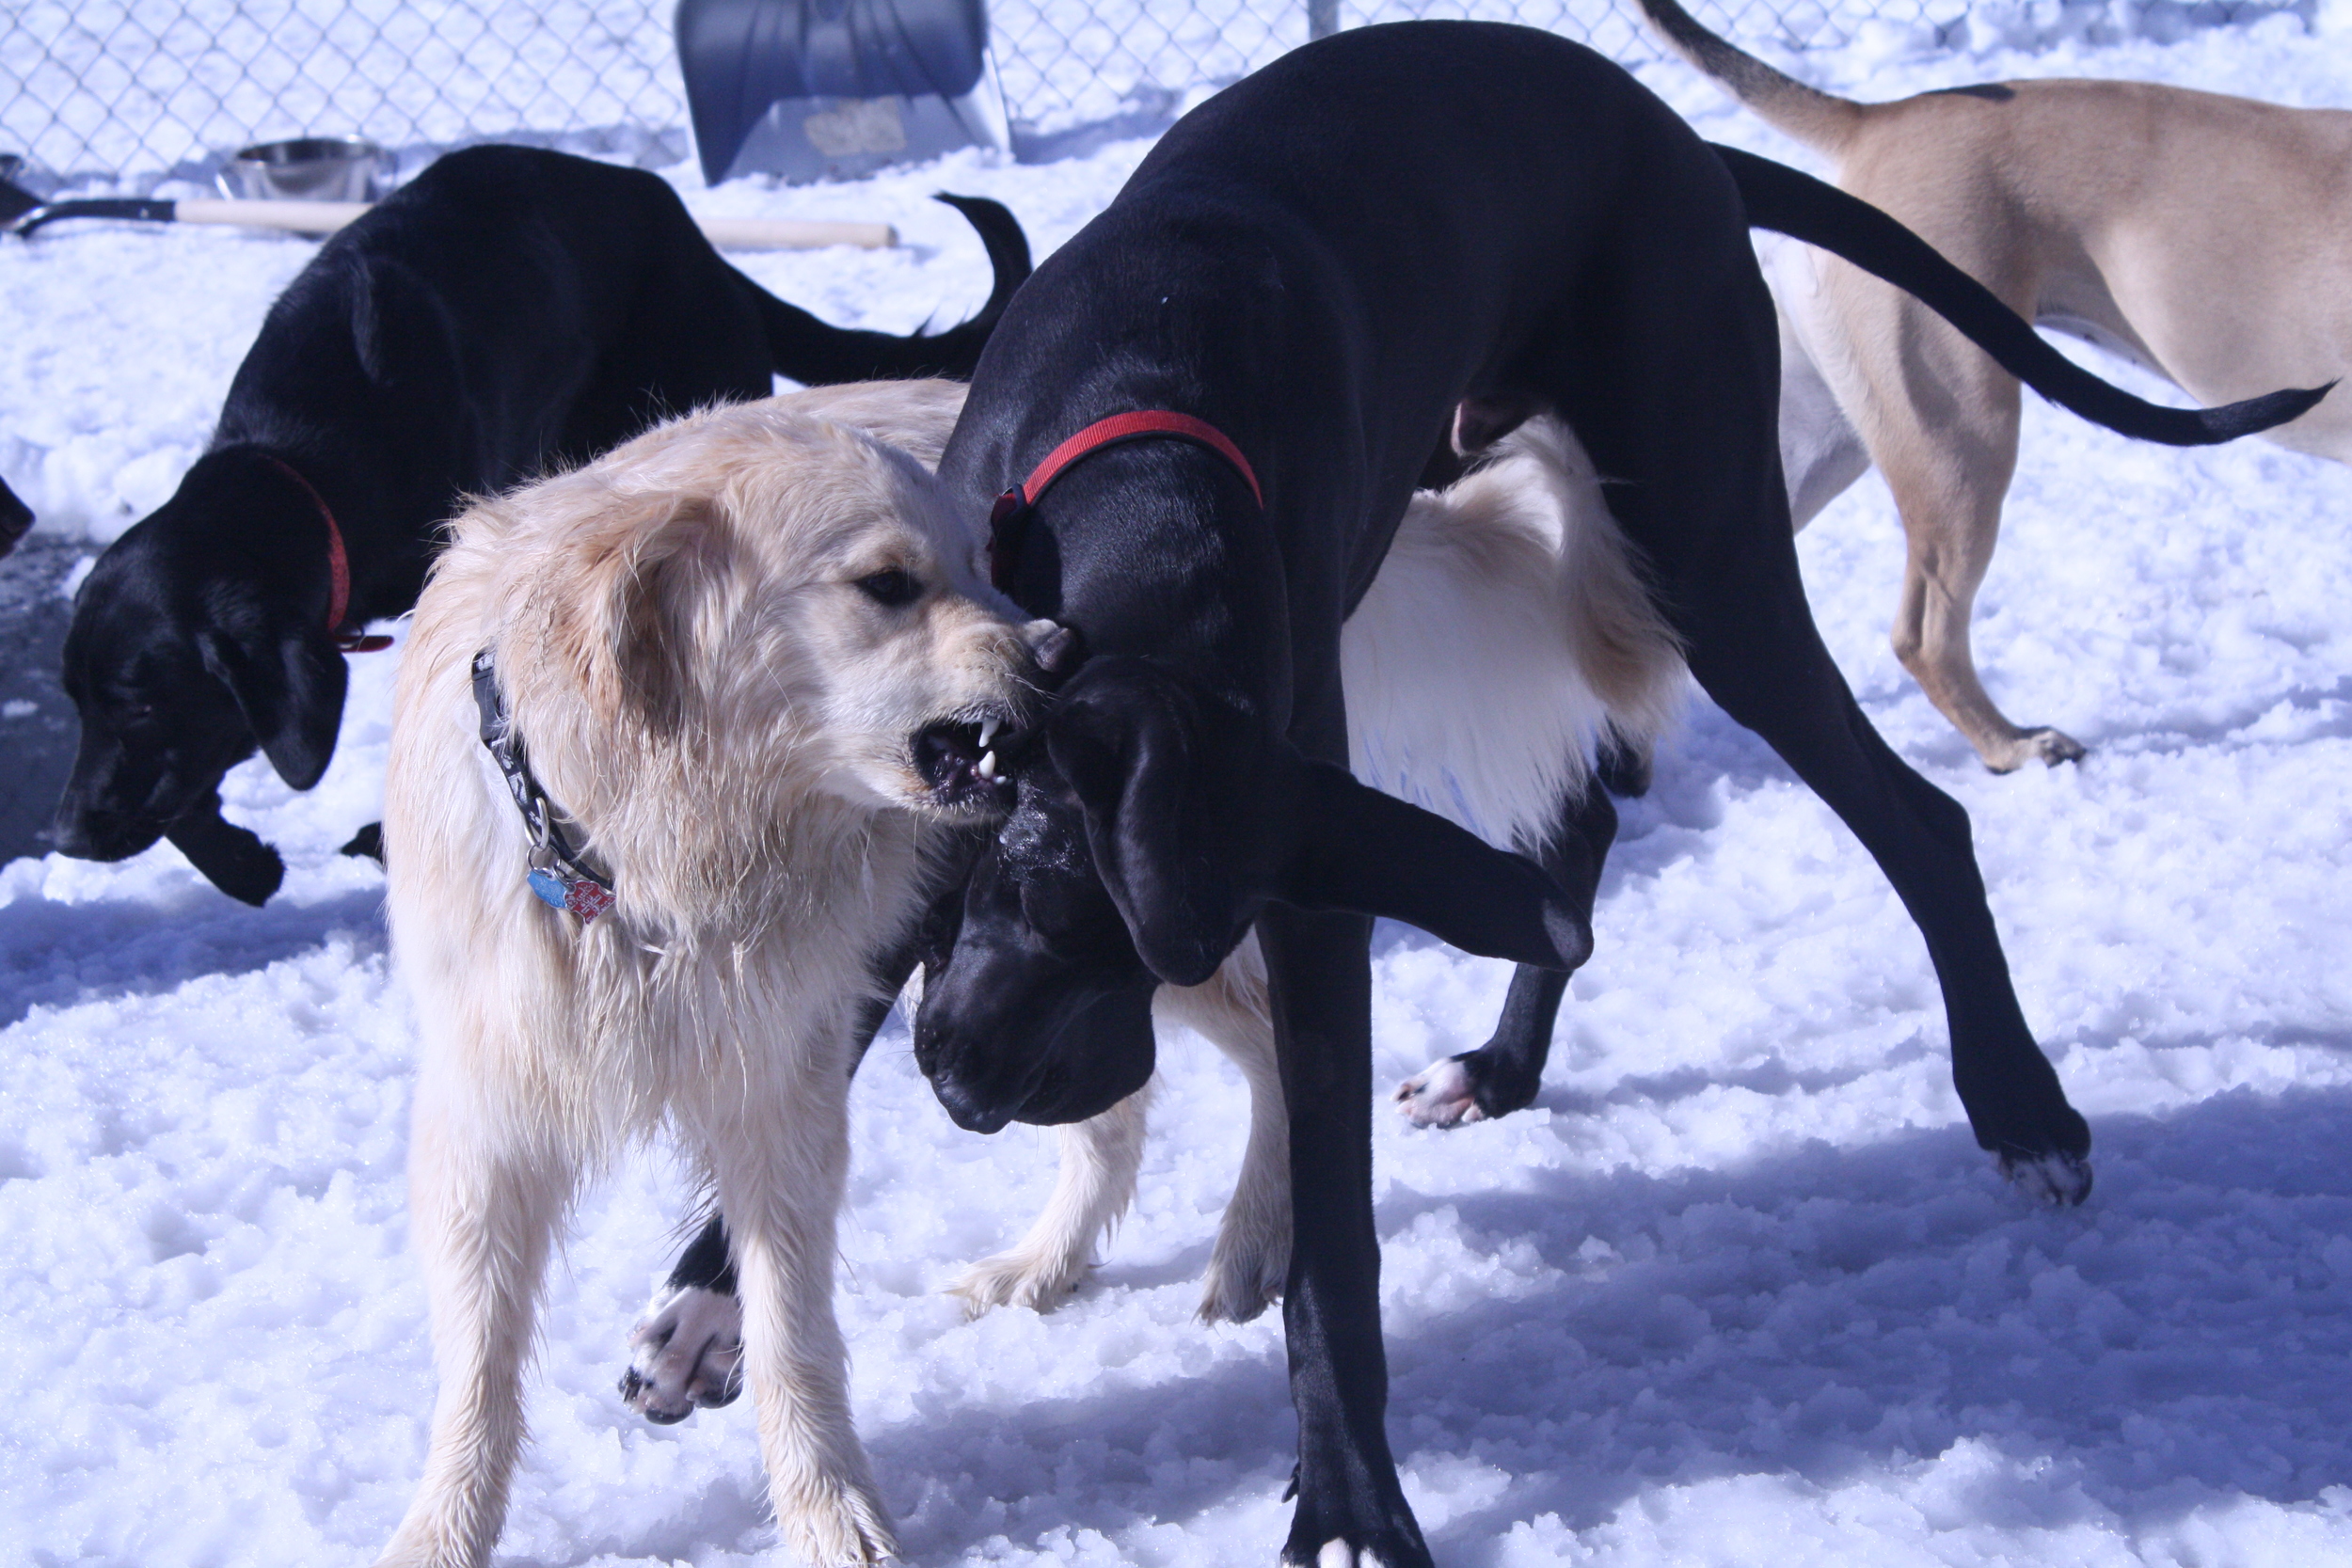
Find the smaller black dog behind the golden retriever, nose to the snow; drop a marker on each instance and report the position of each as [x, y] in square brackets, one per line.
[502, 314]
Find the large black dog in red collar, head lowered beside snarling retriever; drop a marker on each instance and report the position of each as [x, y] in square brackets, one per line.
[1382, 239]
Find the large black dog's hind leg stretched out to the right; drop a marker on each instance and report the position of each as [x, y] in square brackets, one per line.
[1673, 394]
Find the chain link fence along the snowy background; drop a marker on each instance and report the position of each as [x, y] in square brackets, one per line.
[142, 91]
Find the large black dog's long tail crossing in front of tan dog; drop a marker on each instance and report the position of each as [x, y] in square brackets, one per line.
[1798, 206]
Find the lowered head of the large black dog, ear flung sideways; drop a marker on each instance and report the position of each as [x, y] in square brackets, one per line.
[1154, 826]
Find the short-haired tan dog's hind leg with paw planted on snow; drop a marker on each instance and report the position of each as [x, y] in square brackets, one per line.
[1942, 422]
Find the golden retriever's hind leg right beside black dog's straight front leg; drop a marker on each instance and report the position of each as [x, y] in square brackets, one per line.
[1255, 1240]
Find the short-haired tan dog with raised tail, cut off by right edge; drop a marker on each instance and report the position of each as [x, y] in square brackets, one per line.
[2205, 239]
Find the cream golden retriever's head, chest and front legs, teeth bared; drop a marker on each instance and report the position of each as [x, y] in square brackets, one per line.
[751, 664]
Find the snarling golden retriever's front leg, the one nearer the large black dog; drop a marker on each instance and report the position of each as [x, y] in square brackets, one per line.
[780, 1160]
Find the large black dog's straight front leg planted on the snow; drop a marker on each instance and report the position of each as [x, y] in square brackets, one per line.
[1318, 972]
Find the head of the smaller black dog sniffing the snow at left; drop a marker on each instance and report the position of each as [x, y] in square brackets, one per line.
[199, 636]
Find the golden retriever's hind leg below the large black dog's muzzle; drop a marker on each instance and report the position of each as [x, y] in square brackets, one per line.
[1095, 1186]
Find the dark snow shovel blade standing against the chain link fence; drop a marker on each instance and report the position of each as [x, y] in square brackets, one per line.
[836, 88]
